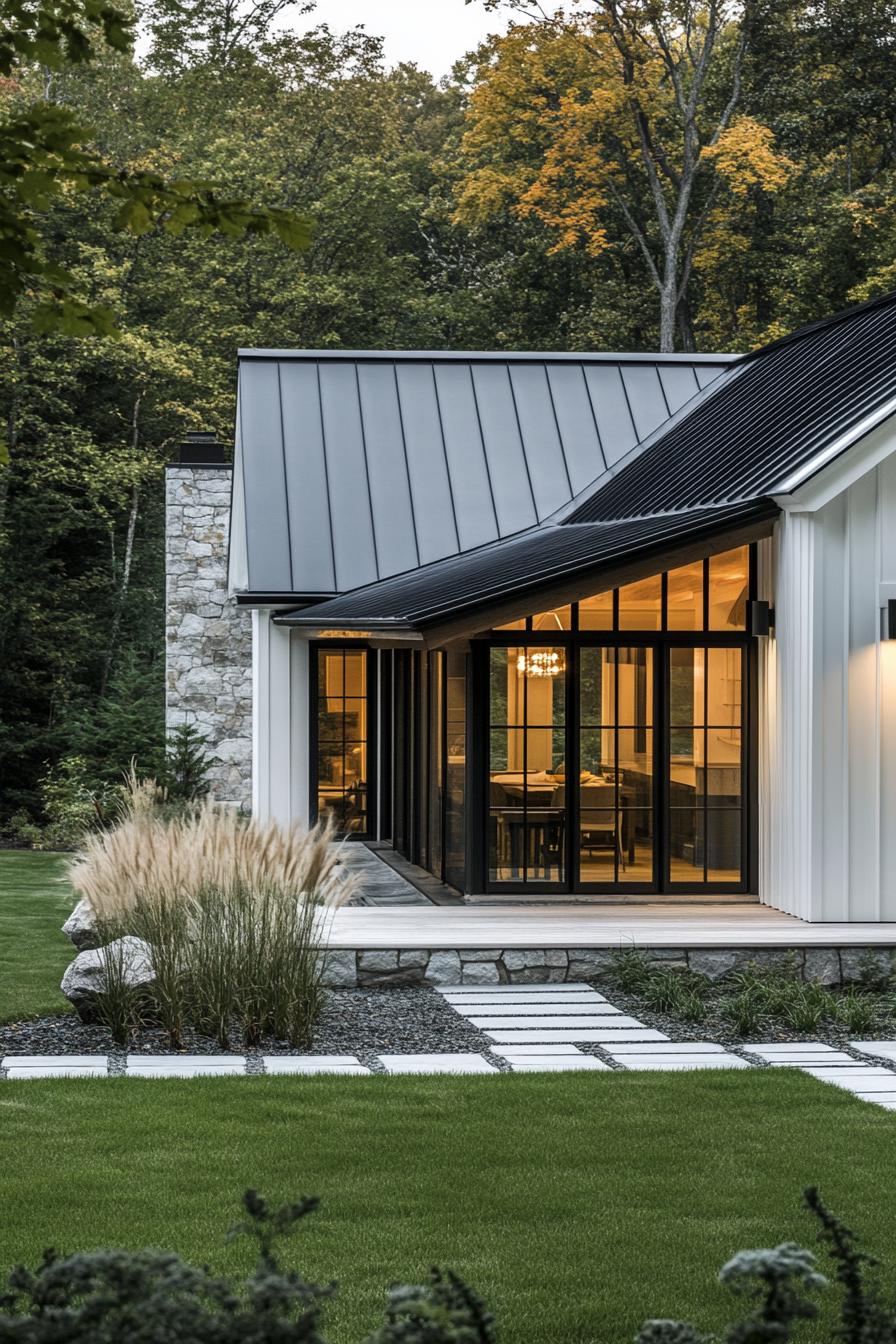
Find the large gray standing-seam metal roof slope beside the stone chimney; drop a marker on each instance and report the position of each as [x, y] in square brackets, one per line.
[359, 466]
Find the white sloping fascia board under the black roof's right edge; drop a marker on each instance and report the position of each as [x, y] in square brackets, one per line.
[842, 464]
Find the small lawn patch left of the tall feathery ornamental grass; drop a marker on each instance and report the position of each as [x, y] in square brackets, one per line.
[36, 901]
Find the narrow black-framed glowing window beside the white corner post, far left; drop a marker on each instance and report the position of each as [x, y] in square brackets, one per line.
[343, 776]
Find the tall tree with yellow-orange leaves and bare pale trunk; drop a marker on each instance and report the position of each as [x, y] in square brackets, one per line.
[620, 122]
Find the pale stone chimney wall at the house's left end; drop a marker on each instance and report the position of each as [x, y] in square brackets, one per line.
[209, 640]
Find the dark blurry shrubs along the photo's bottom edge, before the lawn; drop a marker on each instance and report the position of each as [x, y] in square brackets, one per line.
[154, 1298]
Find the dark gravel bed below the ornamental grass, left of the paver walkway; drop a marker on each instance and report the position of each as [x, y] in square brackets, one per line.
[354, 1022]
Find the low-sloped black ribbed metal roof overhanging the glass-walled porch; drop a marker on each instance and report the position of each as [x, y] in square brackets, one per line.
[522, 566]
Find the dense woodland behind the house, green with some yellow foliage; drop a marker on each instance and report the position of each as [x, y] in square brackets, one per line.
[526, 202]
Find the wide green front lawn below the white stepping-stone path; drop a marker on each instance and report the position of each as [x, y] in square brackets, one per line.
[577, 1205]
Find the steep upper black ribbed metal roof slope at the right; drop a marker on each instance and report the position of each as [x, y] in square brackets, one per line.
[773, 420]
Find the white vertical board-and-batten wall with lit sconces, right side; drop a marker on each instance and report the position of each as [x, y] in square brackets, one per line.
[828, 696]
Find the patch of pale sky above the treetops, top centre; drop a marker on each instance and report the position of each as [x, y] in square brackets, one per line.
[432, 33]
